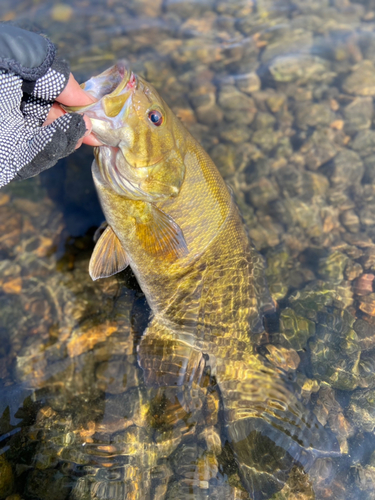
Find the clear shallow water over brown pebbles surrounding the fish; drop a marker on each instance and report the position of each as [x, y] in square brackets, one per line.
[280, 93]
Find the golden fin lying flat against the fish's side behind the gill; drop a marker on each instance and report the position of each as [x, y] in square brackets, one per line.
[161, 236]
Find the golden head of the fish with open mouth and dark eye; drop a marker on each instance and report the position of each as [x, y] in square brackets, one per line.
[131, 116]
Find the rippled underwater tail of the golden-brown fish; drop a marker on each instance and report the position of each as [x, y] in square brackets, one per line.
[269, 430]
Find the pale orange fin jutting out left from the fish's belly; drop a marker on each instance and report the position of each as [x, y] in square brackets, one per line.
[108, 257]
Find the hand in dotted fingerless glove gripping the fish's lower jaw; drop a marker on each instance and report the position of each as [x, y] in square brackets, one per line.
[31, 80]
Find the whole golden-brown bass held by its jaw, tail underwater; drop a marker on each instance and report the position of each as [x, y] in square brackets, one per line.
[172, 218]
